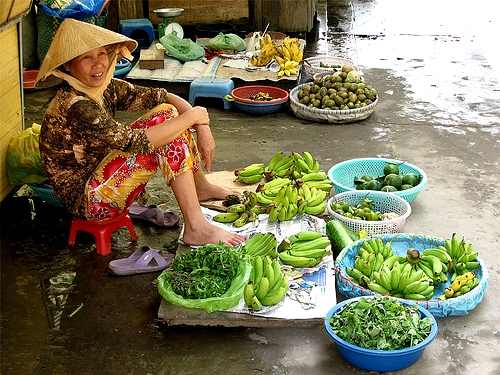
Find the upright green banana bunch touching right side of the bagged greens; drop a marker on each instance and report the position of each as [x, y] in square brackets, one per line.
[268, 284]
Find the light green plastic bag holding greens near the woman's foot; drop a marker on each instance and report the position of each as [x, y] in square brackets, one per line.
[229, 300]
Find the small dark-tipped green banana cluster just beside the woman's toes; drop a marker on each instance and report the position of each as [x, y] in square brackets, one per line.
[240, 213]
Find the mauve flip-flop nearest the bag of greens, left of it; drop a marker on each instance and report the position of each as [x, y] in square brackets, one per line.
[143, 260]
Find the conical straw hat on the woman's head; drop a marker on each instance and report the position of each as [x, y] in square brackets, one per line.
[74, 38]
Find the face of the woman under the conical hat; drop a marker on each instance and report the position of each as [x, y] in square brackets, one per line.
[90, 68]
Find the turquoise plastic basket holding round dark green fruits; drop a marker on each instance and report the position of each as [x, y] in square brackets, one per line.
[342, 175]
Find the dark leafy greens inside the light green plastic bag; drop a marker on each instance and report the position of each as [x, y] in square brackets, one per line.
[204, 272]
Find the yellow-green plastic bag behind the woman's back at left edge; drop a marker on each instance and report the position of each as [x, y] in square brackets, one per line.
[24, 164]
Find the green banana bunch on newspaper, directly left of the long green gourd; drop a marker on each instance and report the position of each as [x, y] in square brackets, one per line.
[304, 249]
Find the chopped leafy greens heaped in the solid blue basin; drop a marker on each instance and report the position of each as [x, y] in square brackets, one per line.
[380, 323]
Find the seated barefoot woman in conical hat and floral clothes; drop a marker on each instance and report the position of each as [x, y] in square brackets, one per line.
[98, 166]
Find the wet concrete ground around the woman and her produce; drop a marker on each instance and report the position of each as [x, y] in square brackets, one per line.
[436, 71]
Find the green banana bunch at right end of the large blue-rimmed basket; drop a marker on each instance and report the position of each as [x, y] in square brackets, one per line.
[462, 257]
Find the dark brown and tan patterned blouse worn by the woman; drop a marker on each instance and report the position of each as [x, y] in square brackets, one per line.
[77, 133]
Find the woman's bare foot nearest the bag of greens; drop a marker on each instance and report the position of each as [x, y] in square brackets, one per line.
[208, 233]
